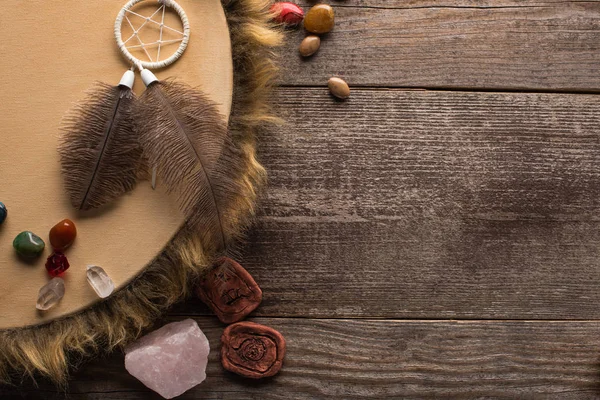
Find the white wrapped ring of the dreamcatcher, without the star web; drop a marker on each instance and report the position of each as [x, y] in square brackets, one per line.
[153, 64]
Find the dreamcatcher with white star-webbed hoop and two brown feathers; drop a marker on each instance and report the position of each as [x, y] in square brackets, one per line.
[172, 132]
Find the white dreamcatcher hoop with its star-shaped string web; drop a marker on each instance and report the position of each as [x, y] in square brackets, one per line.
[122, 16]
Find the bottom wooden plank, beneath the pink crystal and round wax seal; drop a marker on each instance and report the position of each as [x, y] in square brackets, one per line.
[394, 359]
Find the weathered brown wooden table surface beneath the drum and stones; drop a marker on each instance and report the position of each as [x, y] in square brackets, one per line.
[438, 234]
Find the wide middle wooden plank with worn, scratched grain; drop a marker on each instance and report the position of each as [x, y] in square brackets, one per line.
[418, 204]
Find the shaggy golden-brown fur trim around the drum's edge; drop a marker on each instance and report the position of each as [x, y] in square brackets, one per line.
[52, 349]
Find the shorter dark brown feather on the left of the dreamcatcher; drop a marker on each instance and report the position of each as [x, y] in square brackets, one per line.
[99, 149]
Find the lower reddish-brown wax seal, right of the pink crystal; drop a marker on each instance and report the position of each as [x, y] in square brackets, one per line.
[252, 350]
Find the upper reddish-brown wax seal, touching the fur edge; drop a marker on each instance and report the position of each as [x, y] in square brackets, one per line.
[230, 291]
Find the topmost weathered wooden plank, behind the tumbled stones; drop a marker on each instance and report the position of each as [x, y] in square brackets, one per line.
[506, 44]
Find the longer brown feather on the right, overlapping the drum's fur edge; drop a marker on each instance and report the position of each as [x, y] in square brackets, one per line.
[186, 138]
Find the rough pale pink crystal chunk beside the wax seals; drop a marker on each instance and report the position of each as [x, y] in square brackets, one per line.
[170, 360]
